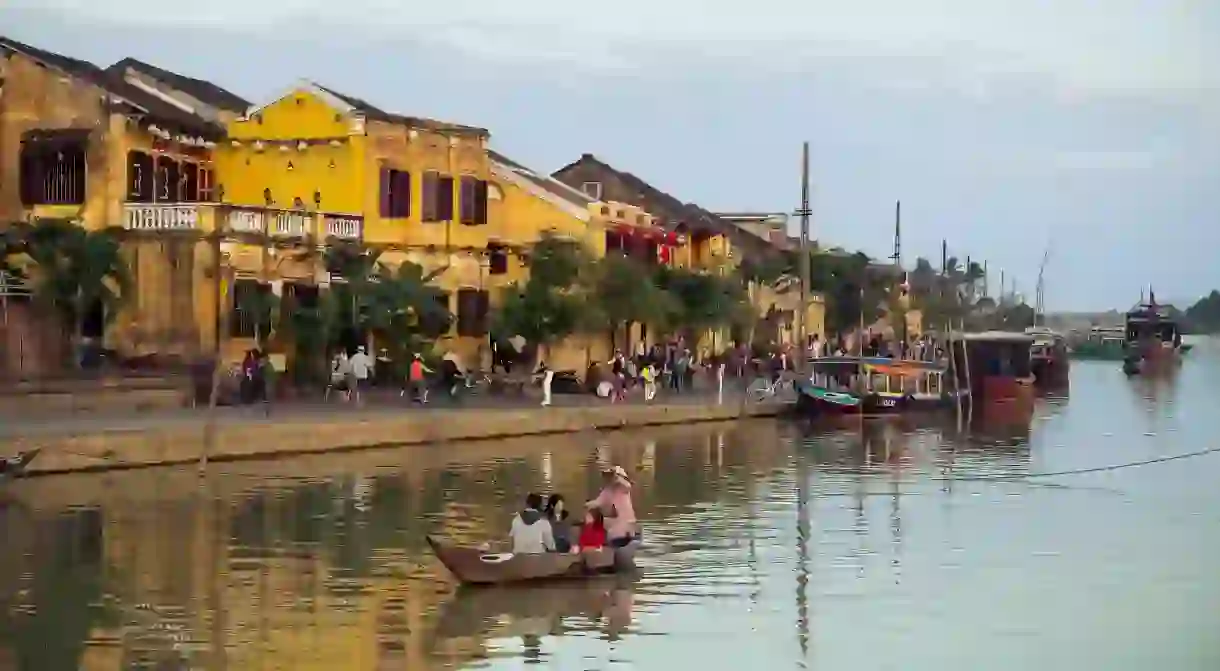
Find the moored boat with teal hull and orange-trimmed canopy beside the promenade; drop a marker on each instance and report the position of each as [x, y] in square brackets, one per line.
[874, 386]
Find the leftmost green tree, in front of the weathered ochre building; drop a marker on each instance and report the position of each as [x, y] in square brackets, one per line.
[76, 271]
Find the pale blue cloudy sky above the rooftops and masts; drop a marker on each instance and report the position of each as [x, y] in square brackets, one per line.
[1007, 129]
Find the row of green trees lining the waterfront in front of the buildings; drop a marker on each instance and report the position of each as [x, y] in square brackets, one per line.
[75, 275]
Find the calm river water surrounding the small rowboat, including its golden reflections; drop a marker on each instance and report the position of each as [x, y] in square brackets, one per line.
[872, 547]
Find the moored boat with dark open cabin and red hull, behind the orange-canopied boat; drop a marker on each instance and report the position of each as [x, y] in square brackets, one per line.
[995, 365]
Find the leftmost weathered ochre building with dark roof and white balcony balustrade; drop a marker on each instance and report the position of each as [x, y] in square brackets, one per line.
[106, 148]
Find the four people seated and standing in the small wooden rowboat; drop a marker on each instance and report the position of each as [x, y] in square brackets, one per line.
[609, 520]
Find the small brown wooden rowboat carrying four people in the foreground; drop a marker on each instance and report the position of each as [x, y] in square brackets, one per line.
[480, 567]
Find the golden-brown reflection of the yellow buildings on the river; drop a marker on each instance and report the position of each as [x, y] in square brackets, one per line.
[321, 563]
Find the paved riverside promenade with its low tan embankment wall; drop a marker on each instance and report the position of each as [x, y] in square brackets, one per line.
[125, 441]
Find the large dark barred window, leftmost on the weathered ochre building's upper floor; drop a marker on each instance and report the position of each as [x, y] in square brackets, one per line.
[53, 173]
